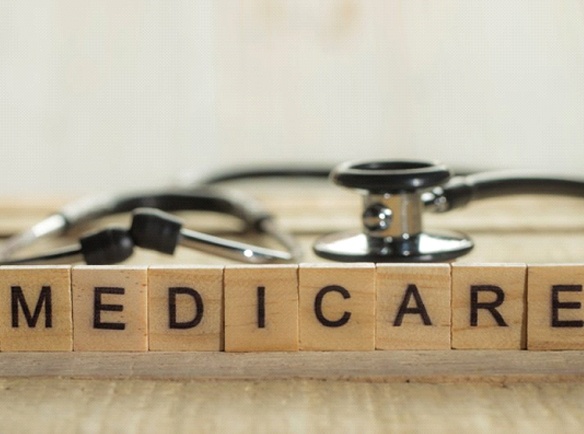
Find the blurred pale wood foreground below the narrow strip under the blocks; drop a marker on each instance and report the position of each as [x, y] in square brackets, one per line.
[291, 405]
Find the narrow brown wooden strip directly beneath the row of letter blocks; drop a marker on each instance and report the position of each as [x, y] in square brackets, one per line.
[432, 366]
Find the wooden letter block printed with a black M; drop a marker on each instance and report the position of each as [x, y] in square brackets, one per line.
[35, 312]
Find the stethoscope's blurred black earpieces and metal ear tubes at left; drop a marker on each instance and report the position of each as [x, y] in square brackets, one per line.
[152, 227]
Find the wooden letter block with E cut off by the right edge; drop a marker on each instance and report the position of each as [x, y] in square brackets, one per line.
[556, 313]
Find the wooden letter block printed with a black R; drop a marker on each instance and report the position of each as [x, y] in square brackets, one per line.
[489, 306]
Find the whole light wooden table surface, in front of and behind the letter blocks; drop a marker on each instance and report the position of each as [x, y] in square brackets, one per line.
[397, 391]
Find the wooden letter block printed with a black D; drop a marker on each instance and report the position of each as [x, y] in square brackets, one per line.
[185, 308]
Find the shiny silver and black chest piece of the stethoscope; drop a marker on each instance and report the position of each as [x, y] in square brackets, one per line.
[392, 215]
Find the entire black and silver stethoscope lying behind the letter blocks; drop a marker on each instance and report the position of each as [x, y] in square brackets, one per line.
[395, 196]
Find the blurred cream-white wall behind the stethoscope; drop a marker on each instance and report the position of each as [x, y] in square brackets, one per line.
[115, 94]
